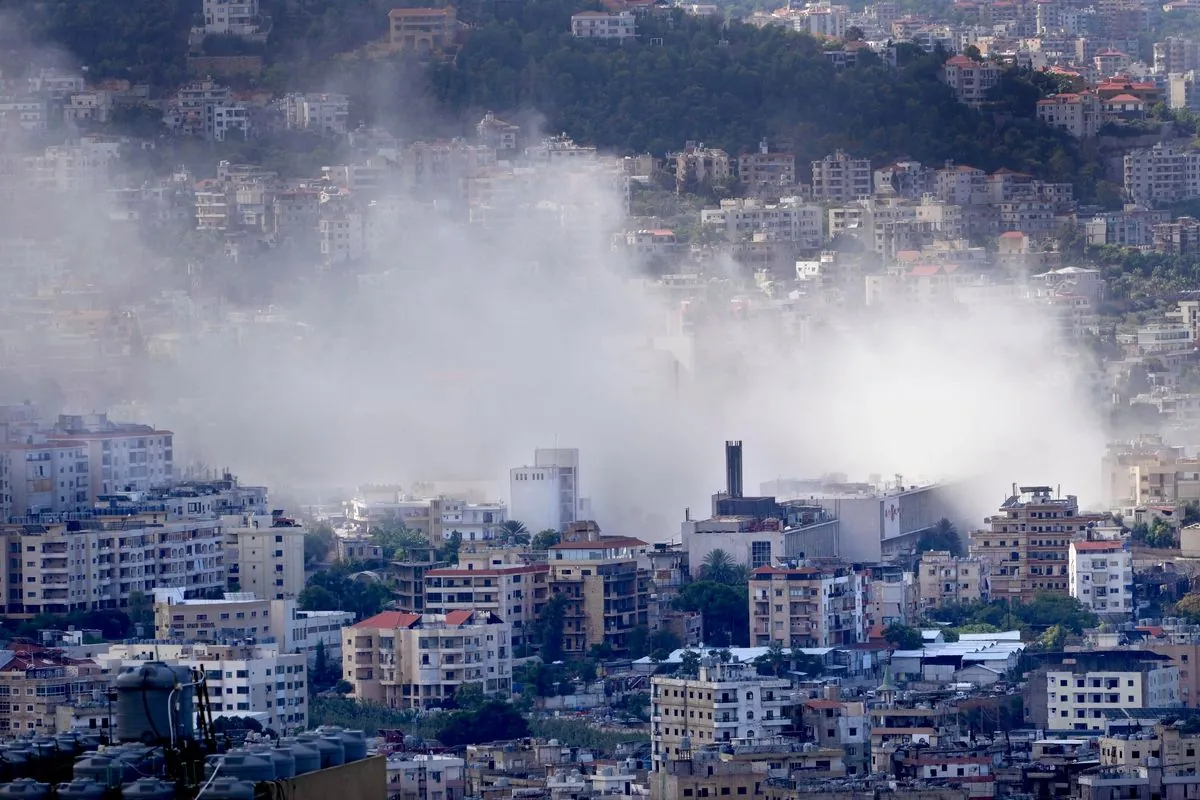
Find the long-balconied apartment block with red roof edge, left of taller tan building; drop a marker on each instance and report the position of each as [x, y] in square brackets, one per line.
[512, 591]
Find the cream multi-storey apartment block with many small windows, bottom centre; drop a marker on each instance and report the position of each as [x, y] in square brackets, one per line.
[727, 702]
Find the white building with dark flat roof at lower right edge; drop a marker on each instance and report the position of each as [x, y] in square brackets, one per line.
[1124, 681]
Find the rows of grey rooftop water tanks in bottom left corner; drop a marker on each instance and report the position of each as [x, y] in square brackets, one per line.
[136, 772]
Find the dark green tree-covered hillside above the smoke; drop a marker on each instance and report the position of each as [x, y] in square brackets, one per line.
[686, 79]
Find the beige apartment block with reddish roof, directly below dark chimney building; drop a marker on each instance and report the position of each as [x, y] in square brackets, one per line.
[808, 607]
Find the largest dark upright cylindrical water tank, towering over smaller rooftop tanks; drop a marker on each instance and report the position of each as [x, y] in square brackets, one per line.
[151, 700]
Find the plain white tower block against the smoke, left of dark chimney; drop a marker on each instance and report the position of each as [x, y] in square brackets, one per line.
[547, 496]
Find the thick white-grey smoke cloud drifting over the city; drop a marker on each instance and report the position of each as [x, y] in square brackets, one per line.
[463, 347]
